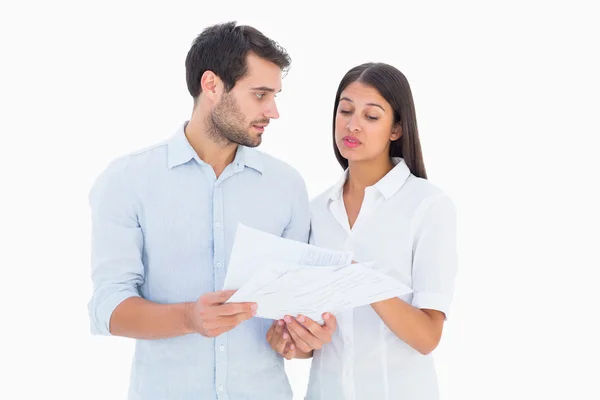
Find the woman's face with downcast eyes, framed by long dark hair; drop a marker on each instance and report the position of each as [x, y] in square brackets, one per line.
[364, 124]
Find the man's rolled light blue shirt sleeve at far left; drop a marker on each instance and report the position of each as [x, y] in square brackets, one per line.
[116, 247]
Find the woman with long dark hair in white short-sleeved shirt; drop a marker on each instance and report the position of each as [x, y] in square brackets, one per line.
[384, 210]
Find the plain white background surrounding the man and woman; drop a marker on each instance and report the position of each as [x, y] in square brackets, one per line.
[507, 99]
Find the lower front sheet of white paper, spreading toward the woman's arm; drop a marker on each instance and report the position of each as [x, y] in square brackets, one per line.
[290, 289]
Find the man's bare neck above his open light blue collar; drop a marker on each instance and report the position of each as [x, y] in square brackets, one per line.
[217, 155]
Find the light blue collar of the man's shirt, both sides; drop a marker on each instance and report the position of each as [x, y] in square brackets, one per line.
[180, 151]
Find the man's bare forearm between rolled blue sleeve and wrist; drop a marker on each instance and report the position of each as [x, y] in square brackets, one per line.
[142, 319]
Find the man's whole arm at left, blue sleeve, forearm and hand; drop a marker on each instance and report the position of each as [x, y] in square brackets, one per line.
[116, 307]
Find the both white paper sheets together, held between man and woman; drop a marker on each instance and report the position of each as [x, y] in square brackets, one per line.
[285, 277]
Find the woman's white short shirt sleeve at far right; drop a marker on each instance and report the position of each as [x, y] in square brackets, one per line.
[435, 259]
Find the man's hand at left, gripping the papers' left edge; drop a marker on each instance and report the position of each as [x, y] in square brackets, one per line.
[210, 317]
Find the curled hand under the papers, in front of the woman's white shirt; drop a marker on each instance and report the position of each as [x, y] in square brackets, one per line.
[309, 335]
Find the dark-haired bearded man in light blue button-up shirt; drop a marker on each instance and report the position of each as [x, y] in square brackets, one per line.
[164, 221]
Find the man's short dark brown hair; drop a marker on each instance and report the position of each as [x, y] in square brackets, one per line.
[223, 49]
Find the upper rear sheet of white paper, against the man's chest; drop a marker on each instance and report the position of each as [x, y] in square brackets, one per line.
[253, 249]
